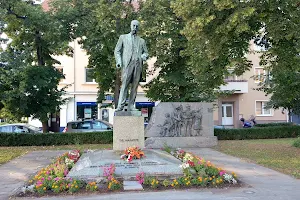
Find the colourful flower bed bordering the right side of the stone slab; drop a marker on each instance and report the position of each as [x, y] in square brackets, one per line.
[197, 173]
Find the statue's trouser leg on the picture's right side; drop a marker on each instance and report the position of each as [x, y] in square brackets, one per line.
[135, 83]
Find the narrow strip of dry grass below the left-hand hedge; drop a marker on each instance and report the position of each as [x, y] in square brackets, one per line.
[9, 153]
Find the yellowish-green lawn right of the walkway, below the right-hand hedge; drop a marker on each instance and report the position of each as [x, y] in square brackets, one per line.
[277, 154]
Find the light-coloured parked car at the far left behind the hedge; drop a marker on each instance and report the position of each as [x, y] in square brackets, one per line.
[19, 128]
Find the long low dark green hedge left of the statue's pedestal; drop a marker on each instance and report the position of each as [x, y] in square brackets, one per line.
[48, 139]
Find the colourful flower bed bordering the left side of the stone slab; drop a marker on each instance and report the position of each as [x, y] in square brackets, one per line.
[52, 179]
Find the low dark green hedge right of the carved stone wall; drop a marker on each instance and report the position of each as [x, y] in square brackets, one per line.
[258, 133]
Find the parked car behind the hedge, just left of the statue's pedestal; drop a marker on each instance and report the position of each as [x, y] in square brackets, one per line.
[88, 126]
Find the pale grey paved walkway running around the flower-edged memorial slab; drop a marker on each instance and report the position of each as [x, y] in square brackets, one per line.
[261, 183]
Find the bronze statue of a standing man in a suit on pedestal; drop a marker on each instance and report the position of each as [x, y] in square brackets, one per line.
[130, 52]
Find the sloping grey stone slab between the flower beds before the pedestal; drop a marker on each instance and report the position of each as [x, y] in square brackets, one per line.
[156, 162]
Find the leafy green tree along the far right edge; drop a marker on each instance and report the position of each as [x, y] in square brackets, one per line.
[280, 38]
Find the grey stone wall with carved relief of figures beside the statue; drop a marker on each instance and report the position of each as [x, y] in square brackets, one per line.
[181, 124]
